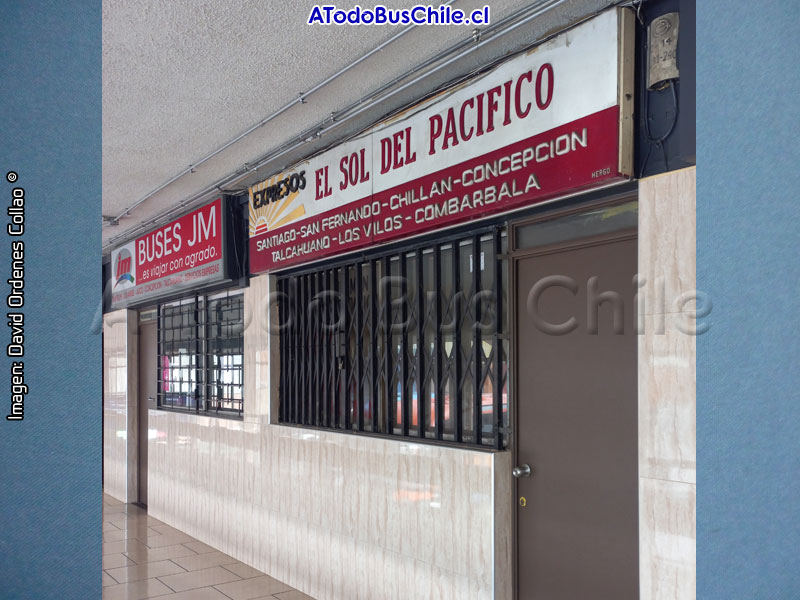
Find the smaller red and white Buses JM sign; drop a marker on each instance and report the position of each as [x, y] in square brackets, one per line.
[184, 253]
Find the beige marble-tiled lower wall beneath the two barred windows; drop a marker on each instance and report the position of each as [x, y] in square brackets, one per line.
[428, 515]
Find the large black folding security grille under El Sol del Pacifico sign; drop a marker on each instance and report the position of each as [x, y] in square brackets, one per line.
[413, 343]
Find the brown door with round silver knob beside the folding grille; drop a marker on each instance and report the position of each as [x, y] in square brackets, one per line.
[577, 512]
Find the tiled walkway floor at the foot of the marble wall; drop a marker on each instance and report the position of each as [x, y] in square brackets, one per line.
[145, 558]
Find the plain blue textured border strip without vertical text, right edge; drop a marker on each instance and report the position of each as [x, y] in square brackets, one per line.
[748, 261]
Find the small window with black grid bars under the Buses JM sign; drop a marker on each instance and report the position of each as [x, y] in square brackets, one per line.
[201, 354]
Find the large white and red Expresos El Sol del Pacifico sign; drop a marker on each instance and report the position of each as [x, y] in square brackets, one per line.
[541, 125]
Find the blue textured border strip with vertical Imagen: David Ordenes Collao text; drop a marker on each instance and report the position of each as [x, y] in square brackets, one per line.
[50, 463]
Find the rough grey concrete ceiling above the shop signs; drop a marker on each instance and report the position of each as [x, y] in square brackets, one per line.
[181, 78]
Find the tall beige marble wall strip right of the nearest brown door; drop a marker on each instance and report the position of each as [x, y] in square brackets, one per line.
[667, 386]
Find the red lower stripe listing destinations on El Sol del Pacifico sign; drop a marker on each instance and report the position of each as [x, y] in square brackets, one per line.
[571, 167]
